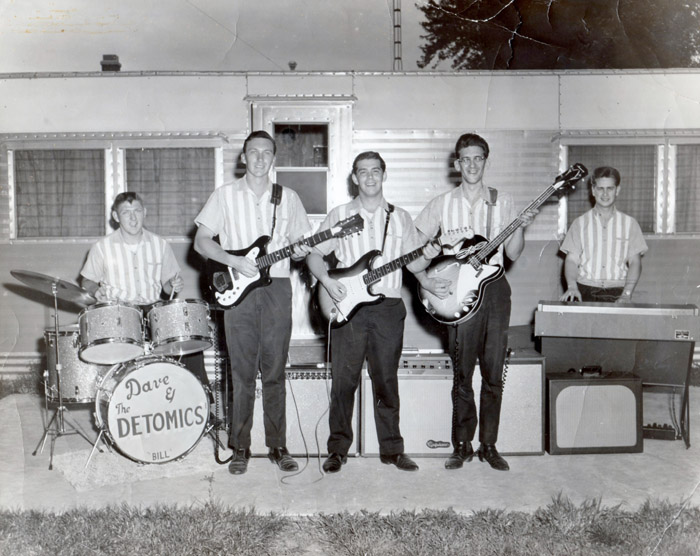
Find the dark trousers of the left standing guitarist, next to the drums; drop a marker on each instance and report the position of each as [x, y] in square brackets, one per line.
[258, 331]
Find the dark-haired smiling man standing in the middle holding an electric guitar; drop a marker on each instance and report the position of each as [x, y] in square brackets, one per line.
[362, 298]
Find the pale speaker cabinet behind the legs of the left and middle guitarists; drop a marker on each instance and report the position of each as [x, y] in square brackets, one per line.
[308, 399]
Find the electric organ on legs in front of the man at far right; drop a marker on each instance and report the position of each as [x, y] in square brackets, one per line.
[653, 342]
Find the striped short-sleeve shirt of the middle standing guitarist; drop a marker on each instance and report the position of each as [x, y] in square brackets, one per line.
[401, 238]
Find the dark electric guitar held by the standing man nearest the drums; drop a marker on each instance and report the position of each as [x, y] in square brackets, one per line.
[230, 286]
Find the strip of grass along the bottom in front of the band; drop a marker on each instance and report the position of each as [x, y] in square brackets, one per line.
[656, 529]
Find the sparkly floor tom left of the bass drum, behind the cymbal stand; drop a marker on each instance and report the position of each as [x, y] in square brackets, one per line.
[78, 379]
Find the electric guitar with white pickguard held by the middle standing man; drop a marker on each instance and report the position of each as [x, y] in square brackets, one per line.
[359, 278]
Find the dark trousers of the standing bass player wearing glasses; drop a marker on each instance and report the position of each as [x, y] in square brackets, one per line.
[484, 336]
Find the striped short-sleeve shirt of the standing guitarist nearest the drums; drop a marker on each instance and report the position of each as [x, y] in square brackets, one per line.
[239, 218]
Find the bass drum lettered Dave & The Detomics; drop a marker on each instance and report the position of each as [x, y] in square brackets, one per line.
[152, 409]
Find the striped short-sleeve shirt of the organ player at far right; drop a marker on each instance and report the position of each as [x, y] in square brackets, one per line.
[604, 248]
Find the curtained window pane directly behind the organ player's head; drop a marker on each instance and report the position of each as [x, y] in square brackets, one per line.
[637, 167]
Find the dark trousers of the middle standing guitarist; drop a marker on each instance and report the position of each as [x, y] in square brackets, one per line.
[374, 332]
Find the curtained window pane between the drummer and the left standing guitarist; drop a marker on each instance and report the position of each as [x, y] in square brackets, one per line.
[174, 184]
